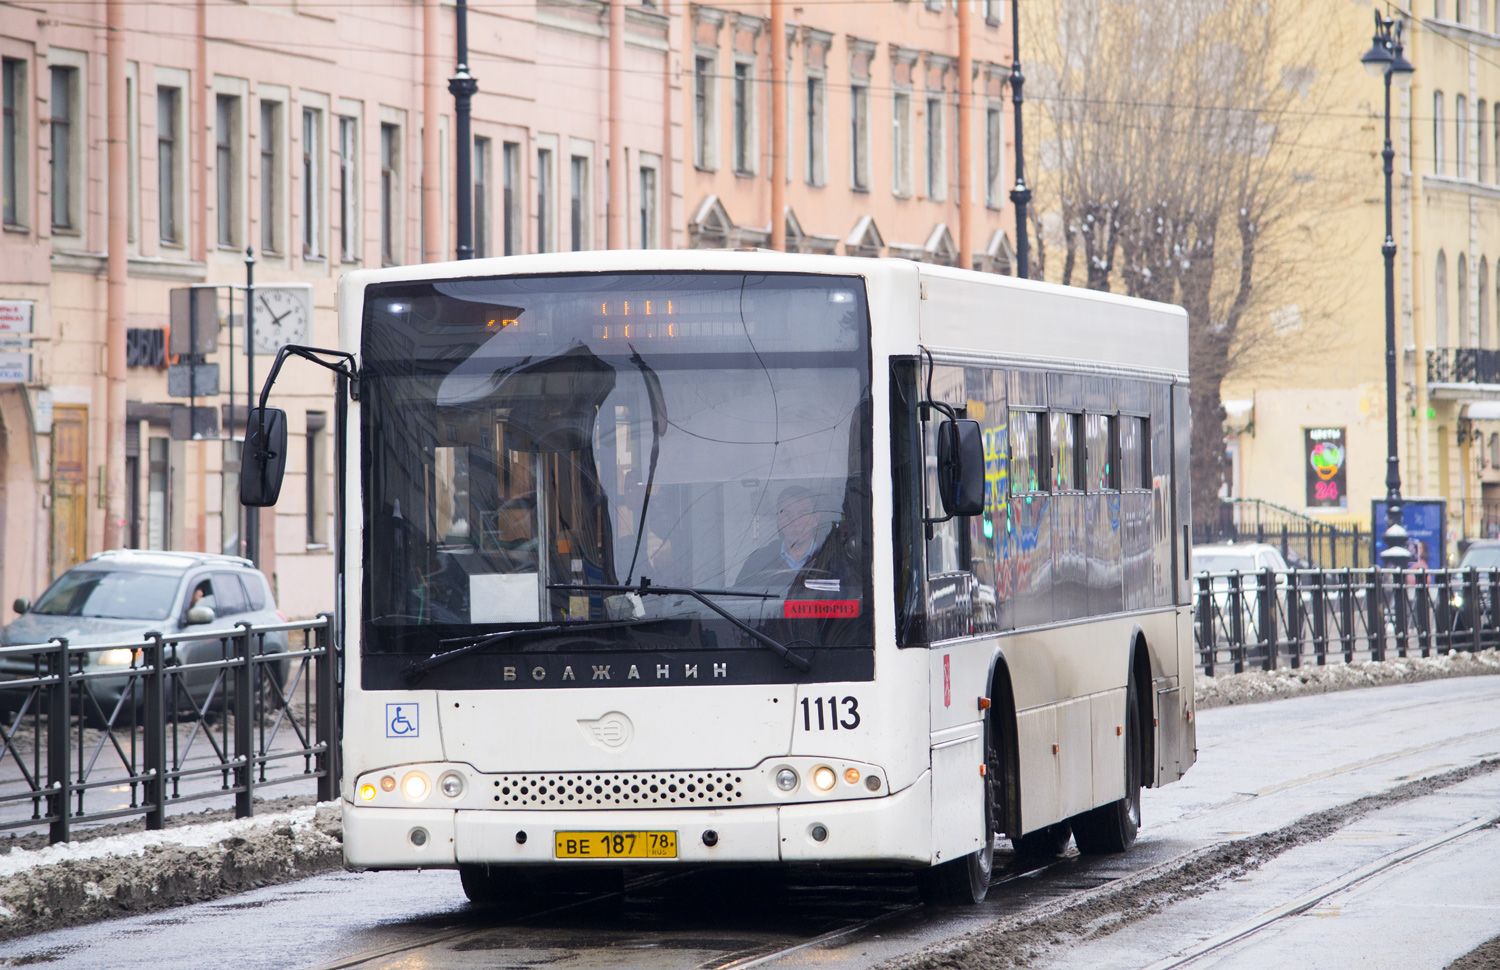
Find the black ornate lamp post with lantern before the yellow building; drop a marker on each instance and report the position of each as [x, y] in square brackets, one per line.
[1384, 59]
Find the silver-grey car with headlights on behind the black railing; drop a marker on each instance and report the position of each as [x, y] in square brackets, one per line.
[121, 596]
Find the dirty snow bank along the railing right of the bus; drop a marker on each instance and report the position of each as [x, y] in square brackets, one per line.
[1253, 686]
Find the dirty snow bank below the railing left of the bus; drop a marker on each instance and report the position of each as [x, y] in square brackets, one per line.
[121, 875]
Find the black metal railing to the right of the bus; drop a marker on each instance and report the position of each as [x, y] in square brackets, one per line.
[1274, 620]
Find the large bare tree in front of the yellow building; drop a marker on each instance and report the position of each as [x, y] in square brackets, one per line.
[1174, 133]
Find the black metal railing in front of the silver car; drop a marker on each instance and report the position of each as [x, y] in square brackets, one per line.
[143, 732]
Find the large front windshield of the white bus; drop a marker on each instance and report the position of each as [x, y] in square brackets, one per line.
[527, 439]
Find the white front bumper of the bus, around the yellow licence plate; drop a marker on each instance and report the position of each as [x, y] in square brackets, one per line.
[892, 830]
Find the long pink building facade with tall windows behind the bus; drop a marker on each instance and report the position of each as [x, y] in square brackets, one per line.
[299, 133]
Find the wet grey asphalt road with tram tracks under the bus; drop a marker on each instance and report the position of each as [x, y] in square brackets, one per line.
[1259, 768]
